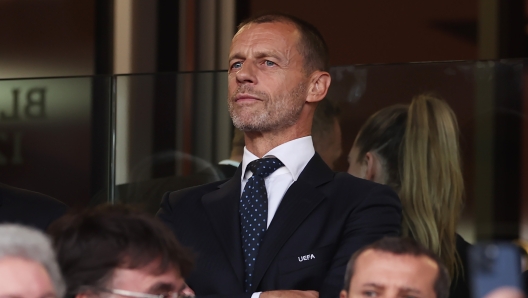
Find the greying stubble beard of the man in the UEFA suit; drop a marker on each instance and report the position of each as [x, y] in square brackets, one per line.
[278, 113]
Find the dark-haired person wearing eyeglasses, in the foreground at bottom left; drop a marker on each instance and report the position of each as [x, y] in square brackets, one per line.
[115, 251]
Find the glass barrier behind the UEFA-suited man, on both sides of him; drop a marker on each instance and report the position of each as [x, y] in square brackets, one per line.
[172, 130]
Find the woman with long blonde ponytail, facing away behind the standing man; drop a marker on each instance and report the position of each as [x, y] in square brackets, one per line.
[415, 150]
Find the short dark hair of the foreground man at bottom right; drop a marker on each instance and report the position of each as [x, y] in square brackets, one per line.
[403, 246]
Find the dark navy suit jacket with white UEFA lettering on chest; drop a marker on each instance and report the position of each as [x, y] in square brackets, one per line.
[325, 214]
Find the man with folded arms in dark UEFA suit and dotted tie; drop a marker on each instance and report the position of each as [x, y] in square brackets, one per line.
[285, 225]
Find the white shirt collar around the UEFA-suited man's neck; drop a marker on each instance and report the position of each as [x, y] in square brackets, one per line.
[294, 154]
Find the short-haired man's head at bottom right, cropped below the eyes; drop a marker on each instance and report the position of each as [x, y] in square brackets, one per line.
[393, 268]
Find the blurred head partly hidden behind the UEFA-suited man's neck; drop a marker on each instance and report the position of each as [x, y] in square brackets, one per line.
[326, 132]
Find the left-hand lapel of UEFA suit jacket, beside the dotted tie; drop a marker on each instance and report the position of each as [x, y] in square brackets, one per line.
[222, 209]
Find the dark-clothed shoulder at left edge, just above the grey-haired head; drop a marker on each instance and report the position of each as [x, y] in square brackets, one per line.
[28, 207]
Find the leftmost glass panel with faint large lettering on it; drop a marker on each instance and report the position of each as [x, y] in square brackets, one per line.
[53, 136]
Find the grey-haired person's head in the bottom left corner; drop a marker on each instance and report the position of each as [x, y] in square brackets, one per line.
[28, 268]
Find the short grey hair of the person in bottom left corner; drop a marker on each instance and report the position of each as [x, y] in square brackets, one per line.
[32, 245]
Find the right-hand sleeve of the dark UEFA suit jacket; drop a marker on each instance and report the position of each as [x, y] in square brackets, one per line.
[377, 215]
